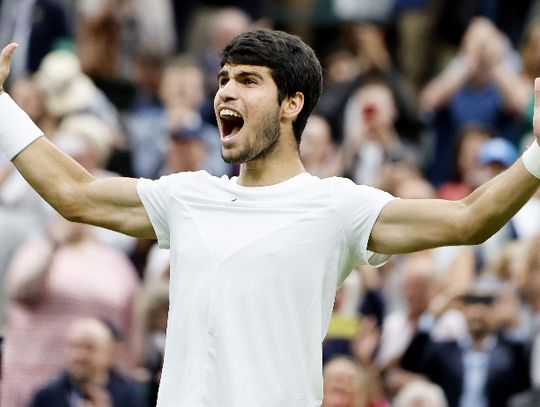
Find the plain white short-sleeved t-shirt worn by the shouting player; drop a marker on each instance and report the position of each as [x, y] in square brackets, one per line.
[254, 272]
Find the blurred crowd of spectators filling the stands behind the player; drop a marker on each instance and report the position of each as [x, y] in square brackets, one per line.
[422, 98]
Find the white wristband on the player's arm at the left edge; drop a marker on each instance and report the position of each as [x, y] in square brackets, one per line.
[17, 130]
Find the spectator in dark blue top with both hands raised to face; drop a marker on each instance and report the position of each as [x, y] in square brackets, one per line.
[479, 85]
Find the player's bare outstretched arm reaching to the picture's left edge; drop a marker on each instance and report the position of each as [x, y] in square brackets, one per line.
[77, 195]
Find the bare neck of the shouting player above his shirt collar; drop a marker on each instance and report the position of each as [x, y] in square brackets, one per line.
[278, 166]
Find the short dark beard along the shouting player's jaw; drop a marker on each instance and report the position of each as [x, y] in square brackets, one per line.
[263, 145]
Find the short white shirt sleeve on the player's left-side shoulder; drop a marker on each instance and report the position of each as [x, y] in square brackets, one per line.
[155, 196]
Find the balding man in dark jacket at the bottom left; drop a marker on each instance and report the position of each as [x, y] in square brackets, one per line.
[90, 377]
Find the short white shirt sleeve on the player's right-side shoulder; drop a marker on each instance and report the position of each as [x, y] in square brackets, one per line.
[359, 207]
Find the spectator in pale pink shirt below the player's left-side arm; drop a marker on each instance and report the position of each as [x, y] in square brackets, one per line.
[50, 283]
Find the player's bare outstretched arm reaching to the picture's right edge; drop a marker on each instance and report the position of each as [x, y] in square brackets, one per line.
[409, 225]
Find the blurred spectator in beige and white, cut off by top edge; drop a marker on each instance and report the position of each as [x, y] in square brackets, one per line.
[111, 32]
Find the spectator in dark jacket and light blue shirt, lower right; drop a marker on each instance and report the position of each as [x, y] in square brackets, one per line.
[483, 369]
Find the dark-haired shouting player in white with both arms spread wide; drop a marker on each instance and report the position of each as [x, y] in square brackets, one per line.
[256, 259]
